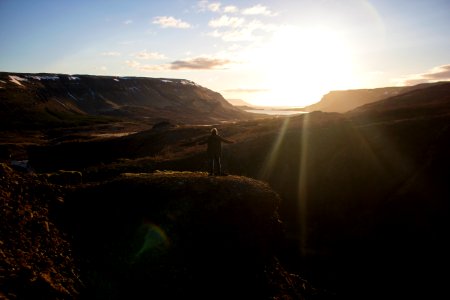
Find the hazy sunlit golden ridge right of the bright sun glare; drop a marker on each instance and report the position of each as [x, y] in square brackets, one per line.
[346, 100]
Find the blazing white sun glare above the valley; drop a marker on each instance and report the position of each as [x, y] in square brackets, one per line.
[303, 64]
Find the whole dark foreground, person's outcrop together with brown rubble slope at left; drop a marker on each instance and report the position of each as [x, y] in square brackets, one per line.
[165, 235]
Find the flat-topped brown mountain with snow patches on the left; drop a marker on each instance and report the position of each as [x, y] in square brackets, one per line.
[40, 100]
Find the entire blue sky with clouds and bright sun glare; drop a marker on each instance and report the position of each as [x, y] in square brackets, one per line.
[265, 52]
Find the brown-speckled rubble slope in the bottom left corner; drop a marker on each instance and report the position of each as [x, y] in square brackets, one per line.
[36, 258]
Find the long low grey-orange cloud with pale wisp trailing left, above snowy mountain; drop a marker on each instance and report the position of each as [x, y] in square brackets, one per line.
[198, 63]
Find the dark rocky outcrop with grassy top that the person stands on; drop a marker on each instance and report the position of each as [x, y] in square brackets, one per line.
[181, 235]
